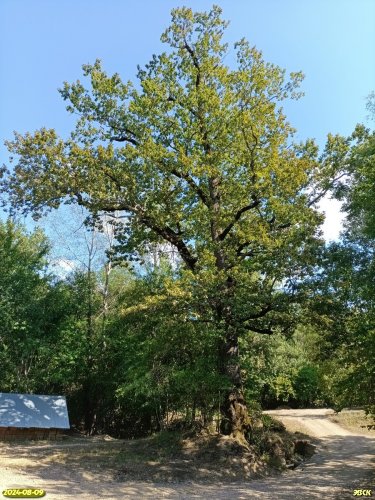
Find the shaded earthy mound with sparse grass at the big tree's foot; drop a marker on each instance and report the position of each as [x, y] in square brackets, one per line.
[166, 457]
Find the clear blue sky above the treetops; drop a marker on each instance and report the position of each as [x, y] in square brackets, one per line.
[45, 42]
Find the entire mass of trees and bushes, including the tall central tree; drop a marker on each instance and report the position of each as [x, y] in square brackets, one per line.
[214, 284]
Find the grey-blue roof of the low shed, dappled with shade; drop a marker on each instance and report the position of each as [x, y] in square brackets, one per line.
[33, 410]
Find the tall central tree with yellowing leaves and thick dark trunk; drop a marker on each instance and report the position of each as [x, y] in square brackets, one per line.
[198, 155]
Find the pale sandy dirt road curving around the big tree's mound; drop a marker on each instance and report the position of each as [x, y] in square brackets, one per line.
[344, 461]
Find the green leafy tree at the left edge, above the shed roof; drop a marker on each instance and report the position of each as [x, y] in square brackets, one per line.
[24, 303]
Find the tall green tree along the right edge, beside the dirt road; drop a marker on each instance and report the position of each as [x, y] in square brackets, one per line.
[347, 285]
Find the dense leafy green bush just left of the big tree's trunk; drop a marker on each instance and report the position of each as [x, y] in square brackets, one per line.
[169, 366]
